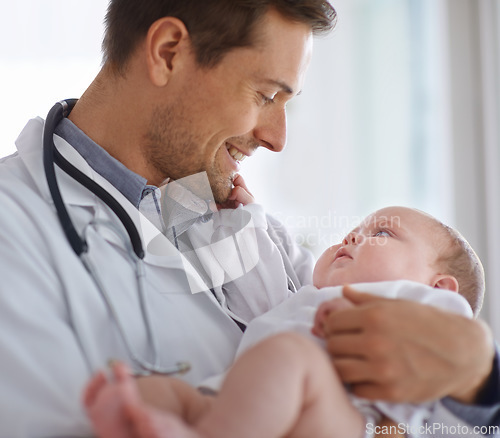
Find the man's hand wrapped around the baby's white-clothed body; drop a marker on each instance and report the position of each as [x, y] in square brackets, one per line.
[403, 351]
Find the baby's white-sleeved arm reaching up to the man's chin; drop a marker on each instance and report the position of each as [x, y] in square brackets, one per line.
[254, 262]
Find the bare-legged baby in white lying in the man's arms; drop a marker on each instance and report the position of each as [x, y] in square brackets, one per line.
[283, 383]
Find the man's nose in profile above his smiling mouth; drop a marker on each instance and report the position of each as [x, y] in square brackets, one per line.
[270, 131]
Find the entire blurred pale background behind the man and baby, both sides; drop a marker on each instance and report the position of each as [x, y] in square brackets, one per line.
[400, 107]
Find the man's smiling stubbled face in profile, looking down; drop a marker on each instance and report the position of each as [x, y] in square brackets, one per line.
[221, 115]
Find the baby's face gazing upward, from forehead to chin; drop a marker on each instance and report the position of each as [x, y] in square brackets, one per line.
[392, 244]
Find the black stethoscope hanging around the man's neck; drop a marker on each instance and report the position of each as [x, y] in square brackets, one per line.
[133, 242]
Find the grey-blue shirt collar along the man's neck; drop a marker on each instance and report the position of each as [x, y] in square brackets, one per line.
[130, 184]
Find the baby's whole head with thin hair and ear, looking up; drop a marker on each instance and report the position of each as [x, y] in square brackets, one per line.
[398, 243]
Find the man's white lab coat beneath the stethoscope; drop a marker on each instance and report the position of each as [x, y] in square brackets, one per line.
[43, 365]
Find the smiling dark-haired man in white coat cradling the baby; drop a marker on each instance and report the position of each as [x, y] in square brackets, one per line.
[186, 87]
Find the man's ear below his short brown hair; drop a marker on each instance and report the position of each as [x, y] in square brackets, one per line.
[166, 41]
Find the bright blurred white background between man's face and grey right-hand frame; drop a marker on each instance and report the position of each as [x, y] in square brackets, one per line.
[370, 129]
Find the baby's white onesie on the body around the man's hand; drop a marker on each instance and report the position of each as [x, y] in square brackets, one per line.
[296, 314]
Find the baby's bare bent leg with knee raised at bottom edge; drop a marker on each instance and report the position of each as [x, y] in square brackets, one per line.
[285, 386]
